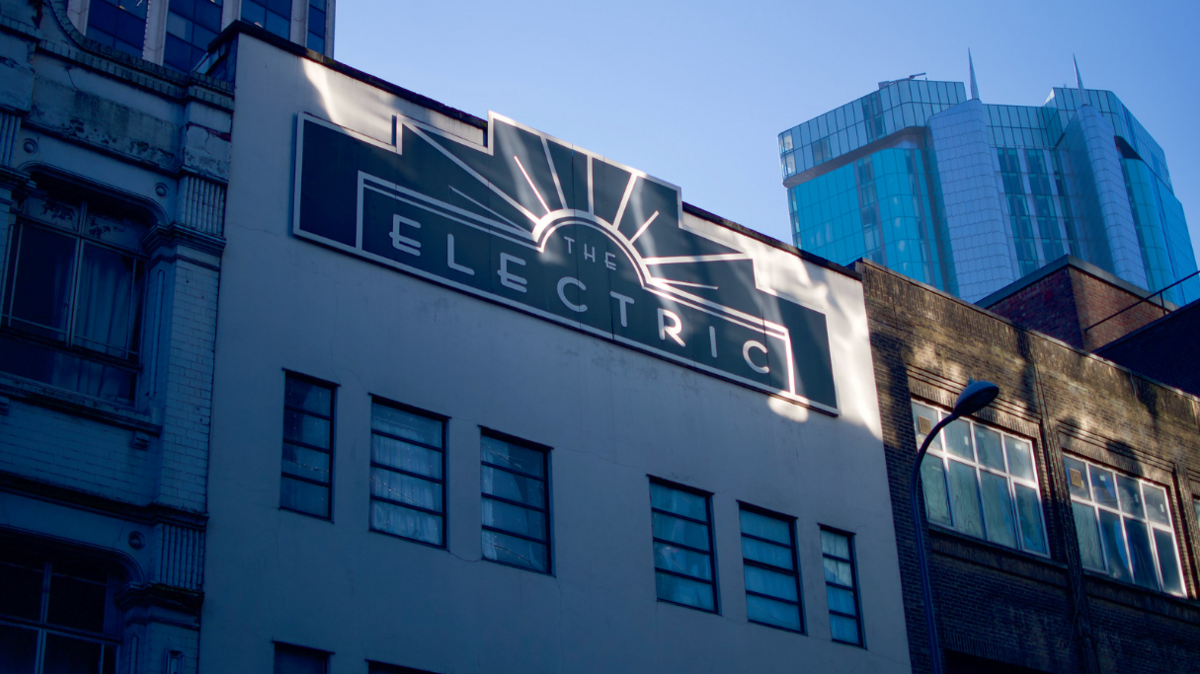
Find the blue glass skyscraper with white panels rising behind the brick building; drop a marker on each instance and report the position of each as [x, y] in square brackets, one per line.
[970, 197]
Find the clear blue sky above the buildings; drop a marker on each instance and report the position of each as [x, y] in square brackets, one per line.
[695, 93]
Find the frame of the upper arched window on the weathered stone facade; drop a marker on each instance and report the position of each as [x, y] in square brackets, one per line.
[73, 344]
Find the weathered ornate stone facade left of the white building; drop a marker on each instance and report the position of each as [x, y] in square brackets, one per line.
[125, 165]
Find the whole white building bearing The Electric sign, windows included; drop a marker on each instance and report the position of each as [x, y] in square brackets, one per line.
[489, 402]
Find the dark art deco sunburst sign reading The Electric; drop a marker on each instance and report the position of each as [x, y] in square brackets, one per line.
[563, 234]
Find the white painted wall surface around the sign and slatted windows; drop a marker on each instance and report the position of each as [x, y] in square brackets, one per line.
[613, 416]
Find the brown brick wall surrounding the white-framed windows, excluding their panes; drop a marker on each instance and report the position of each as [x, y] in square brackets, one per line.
[997, 605]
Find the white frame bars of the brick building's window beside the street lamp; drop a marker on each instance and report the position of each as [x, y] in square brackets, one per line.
[938, 452]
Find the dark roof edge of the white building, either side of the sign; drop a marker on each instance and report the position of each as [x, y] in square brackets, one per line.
[242, 27]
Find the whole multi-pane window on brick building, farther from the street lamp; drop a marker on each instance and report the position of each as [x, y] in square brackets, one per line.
[1124, 527]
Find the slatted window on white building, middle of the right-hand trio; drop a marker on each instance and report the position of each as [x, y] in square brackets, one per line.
[769, 555]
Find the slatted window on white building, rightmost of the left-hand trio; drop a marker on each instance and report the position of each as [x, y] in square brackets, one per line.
[514, 479]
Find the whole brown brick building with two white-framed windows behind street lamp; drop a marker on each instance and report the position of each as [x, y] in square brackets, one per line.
[1063, 519]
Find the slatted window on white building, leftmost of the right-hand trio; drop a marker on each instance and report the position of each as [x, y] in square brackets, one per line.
[683, 546]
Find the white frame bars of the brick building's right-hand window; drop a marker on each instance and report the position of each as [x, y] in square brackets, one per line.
[1123, 516]
